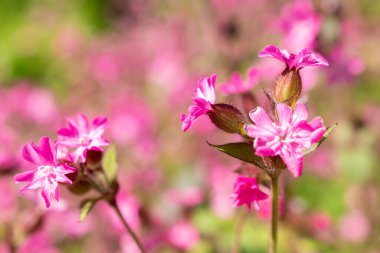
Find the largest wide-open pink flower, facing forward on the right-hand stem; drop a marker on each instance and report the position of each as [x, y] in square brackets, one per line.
[286, 137]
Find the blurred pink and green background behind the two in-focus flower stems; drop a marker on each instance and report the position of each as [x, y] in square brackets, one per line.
[137, 63]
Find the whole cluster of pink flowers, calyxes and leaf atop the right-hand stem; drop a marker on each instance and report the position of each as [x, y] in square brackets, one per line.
[271, 142]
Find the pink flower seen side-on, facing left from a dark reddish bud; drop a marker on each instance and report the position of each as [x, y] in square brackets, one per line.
[204, 98]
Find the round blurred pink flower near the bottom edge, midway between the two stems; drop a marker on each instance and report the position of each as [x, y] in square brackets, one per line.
[183, 235]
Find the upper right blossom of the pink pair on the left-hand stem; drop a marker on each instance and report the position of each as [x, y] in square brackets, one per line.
[83, 136]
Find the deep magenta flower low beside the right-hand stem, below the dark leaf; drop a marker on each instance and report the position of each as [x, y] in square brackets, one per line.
[246, 192]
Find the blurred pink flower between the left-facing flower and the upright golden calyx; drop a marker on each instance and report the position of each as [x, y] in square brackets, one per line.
[237, 85]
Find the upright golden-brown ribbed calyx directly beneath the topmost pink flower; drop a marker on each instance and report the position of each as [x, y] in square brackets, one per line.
[288, 87]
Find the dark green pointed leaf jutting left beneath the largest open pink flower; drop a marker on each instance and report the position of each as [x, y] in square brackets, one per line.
[241, 150]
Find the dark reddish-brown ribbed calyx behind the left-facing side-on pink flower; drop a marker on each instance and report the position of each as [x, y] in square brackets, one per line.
[228, 118]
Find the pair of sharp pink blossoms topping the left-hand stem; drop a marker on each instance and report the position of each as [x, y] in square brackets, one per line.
[52, 163]
